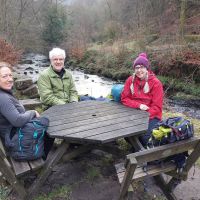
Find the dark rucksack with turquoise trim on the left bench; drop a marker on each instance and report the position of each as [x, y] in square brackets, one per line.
[28, 141]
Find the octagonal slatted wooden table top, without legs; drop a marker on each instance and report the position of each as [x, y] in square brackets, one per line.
[95, 122]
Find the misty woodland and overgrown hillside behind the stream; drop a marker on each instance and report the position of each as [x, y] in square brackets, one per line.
[104, 36]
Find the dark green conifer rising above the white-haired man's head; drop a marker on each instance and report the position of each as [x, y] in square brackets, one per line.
[55, 25]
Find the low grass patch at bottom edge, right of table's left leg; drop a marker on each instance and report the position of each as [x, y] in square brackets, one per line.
[63, 192]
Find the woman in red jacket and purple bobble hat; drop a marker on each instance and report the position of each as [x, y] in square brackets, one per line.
[144, 91]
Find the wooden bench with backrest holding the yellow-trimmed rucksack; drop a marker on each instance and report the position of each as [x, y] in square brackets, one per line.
[133, 169]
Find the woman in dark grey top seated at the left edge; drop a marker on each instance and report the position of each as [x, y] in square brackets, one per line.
[12, 113]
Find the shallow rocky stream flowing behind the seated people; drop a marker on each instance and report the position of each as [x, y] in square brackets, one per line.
[31, 64]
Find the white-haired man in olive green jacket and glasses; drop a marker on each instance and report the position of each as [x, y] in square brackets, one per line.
[55, 83]
